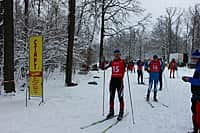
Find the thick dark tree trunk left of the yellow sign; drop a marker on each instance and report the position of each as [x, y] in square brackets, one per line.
[9, 85]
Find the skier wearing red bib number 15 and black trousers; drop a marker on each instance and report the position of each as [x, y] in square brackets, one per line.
[116, 83]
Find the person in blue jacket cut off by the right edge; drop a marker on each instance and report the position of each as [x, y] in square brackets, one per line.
[195, 89]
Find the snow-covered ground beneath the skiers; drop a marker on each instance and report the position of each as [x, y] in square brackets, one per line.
[66, 109]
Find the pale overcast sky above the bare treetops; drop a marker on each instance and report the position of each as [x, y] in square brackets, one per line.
[157, 7]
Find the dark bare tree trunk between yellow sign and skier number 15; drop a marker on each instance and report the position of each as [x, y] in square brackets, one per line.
[71, 31]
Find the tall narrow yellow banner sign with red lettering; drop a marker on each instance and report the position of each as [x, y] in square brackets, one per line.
[35, 66]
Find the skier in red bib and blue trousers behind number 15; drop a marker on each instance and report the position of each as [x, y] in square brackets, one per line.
[154, 67]
